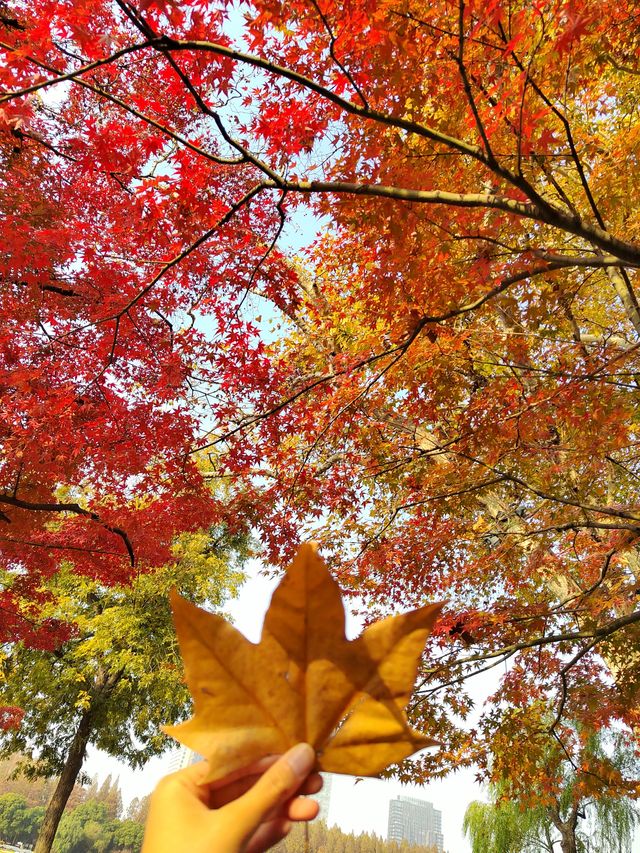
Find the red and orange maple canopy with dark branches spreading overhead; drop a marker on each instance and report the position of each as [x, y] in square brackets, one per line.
[454, 383]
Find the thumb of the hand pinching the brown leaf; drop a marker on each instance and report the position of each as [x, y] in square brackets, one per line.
[275, 787]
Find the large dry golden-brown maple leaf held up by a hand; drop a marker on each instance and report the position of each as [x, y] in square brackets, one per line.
[304, 681]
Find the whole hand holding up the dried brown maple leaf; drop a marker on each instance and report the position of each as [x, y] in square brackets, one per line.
[247, 812]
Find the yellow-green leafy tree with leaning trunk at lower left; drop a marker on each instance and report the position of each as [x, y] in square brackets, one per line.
[118, 676]
